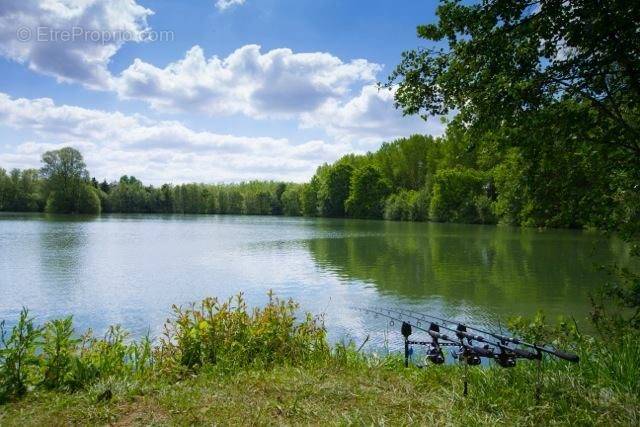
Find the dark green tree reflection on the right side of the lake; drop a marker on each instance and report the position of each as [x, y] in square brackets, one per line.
[506, 271]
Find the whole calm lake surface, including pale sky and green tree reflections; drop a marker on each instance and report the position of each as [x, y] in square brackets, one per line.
[130, 269]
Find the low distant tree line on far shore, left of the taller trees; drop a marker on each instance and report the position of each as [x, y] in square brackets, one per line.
[63, 185]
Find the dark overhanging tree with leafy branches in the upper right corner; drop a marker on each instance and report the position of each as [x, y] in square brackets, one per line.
[531, 72]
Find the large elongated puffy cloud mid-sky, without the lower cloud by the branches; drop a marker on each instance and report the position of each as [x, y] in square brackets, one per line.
[278, 83]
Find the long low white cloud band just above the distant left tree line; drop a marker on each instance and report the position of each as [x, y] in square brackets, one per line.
[156, 151]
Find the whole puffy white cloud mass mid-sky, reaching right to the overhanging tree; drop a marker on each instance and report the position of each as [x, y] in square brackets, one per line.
[315, 88]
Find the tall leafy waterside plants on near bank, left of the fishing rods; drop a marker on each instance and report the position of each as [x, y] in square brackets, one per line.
[223, 333]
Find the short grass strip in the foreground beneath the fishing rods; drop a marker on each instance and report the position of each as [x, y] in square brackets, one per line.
[337, 393]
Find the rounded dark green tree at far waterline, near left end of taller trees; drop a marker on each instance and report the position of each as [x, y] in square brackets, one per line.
[367, 193]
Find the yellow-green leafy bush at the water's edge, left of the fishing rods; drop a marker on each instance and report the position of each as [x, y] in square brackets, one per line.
[230, 335]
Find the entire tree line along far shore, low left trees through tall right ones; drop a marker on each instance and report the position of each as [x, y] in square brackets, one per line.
[452, 178]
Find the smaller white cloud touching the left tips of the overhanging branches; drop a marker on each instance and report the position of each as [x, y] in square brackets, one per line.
[368, 119]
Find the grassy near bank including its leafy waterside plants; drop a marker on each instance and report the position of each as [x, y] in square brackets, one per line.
[221, 362]
